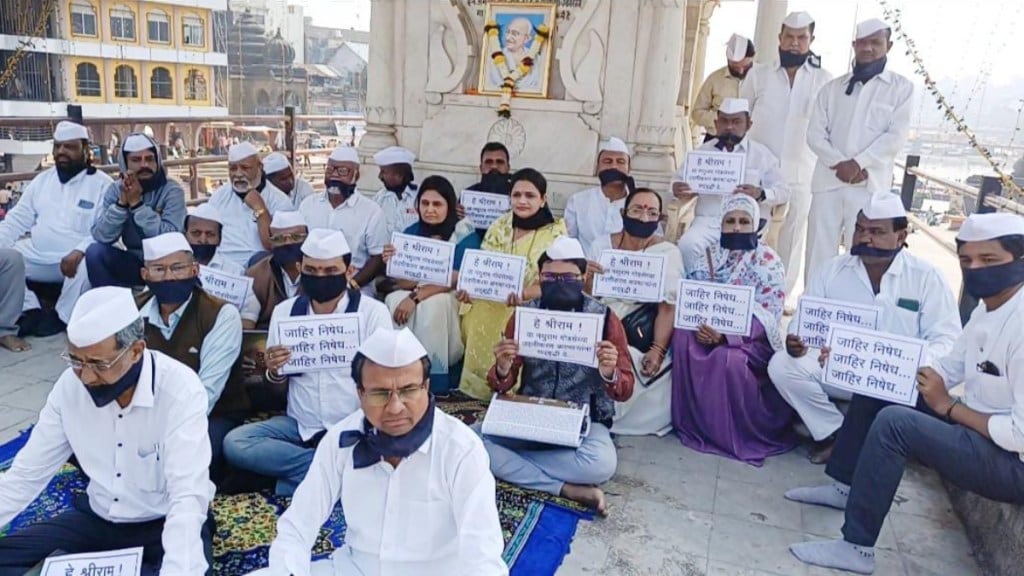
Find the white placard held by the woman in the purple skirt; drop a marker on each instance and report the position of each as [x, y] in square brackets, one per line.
[726, 308]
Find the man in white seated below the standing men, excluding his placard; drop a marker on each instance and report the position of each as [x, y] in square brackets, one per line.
[762, 181]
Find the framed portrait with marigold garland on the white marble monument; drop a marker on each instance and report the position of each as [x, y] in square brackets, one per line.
[516, 59]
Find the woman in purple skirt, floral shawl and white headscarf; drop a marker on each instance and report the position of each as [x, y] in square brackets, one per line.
[722, 400]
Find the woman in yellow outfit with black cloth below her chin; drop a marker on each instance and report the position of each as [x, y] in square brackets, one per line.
[528, 230]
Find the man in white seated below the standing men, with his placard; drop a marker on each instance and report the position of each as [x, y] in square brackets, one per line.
[732, 163]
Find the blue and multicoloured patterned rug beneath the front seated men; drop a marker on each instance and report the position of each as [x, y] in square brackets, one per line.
[537, 528]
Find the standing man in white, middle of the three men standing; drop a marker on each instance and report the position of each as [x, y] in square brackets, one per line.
[783, 96]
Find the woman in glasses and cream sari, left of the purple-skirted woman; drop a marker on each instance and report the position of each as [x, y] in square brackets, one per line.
[649, 325]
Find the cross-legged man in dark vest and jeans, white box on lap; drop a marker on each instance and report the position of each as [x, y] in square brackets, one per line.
[601, 380]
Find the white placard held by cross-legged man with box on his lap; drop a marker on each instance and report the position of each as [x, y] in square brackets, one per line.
[562, 337]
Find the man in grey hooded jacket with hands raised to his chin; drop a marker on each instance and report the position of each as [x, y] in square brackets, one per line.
[144, 204]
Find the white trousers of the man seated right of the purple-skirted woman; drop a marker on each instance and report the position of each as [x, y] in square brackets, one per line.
[799, 382]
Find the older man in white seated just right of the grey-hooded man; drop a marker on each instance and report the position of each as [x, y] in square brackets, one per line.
[246, 204]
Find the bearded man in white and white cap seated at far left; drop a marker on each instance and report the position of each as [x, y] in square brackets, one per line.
[57, 213]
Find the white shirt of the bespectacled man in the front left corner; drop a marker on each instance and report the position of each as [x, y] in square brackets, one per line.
[147, 462]
